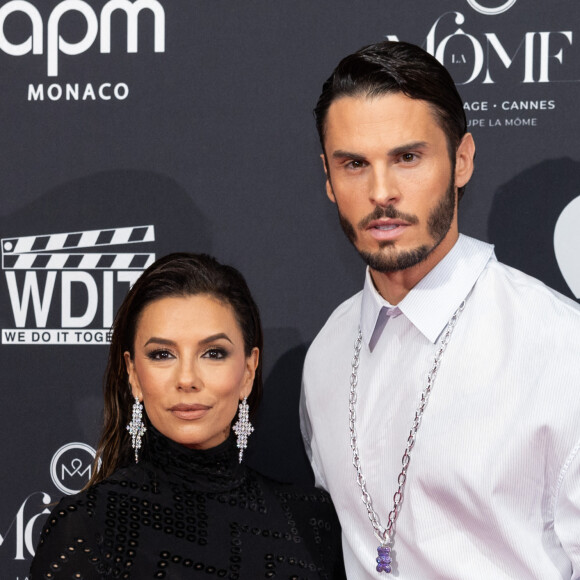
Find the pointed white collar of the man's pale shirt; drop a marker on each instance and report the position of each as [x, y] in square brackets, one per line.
[432, 302]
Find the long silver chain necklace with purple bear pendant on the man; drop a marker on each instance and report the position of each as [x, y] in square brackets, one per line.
[385, 535]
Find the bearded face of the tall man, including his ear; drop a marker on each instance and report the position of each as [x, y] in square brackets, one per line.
[389, 172]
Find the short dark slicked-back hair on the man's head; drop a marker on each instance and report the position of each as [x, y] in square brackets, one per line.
[397, 67]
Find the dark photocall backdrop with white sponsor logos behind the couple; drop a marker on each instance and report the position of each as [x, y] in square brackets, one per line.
[133, 129]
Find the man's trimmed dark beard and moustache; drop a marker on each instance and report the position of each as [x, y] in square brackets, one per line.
[438, 224]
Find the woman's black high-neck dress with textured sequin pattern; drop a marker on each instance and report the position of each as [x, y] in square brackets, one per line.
[188, 514]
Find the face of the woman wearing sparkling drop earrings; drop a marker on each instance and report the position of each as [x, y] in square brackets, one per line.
[190, 369]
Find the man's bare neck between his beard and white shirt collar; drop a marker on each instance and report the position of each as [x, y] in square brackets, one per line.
[394, 286]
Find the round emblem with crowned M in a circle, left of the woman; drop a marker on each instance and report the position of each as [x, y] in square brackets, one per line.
[72, 467]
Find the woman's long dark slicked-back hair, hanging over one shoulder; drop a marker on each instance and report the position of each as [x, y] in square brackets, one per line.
[179, 274]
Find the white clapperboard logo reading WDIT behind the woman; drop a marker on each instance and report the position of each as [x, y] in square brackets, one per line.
[62, 288]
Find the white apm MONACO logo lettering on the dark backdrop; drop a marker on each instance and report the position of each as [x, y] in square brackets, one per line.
[48, 41]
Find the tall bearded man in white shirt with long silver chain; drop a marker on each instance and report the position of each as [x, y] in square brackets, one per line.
[493, 488]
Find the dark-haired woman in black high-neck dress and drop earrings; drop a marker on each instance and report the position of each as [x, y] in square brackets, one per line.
[172, 498]
